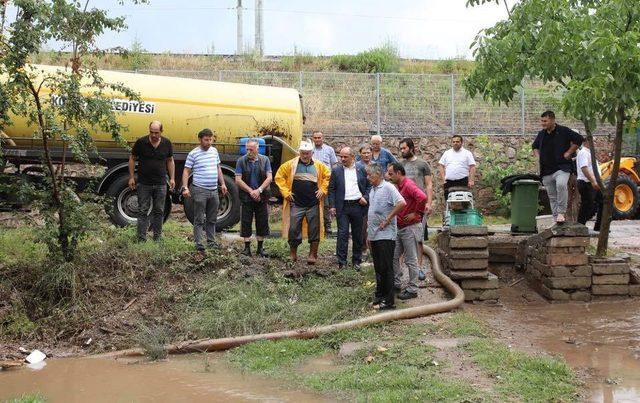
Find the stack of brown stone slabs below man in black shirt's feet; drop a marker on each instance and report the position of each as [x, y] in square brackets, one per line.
[557, 264]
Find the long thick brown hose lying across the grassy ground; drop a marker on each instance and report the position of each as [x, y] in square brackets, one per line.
[226, 343]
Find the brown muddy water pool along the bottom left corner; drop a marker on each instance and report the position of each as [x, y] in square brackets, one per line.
[181, 379]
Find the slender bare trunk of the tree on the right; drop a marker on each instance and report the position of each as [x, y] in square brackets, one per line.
[607, 208]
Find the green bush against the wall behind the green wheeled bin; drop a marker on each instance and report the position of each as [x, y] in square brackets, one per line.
[498, 165]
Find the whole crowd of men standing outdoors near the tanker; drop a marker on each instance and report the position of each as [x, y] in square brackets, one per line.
[379, 202]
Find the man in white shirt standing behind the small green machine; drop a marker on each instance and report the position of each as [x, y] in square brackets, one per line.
[457, 166]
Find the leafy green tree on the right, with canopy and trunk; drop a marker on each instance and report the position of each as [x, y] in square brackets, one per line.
[589, 49]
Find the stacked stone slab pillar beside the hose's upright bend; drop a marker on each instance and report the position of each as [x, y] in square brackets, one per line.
[464, 255]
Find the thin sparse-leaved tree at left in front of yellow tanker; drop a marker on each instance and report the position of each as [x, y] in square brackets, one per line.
[64, 105]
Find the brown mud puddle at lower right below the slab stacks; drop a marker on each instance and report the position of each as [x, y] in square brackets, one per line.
[601, 340]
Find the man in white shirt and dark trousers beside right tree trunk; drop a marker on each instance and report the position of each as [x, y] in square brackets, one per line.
[590, 195]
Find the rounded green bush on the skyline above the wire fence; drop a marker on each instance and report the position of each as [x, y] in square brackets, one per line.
[383, 59]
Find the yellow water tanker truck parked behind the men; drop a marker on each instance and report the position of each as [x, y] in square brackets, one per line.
[184, 106]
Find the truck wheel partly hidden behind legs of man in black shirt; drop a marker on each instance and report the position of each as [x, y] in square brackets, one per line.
[123, 205]
